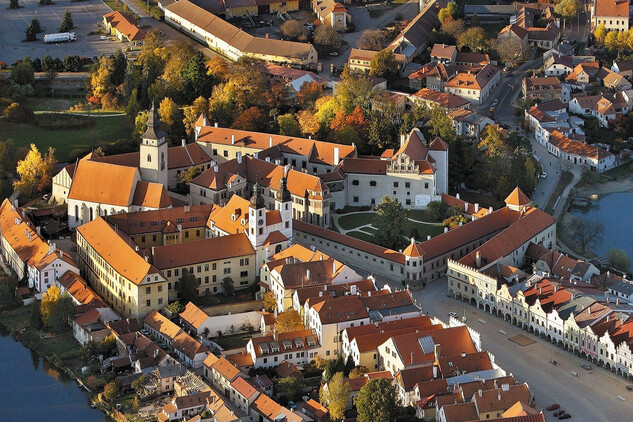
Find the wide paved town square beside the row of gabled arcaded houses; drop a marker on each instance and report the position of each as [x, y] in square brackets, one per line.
[590, 397]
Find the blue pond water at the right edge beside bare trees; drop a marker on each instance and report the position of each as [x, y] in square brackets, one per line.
[615, 212]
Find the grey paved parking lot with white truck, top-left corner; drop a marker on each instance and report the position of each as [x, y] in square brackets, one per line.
[86, 16]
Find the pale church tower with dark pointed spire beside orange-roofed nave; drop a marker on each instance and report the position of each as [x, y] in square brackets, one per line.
[154, 151]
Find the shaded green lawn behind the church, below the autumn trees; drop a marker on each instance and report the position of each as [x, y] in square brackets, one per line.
[105, 131]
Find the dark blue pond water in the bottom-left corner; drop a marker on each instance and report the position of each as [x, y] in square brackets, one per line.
[32, 390]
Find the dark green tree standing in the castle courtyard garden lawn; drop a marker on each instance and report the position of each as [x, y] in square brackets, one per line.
[390, 221]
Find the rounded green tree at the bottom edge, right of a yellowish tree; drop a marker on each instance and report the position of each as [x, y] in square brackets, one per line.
[377, 402]
